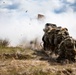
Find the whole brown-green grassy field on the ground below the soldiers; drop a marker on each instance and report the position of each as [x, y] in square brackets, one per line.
[19, 61]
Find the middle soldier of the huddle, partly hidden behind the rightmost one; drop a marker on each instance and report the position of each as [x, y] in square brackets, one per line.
[61, 34]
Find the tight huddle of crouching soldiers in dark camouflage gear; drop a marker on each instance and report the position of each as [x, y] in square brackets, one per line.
[57, 40]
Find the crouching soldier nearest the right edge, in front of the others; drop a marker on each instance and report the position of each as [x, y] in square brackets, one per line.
[67, 50]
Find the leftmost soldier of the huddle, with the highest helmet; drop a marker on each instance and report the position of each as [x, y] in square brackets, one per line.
[48, 36]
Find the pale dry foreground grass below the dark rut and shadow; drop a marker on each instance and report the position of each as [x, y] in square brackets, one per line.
[35, 67]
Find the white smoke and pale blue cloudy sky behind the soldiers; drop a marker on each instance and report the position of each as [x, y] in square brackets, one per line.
[18, 18]
